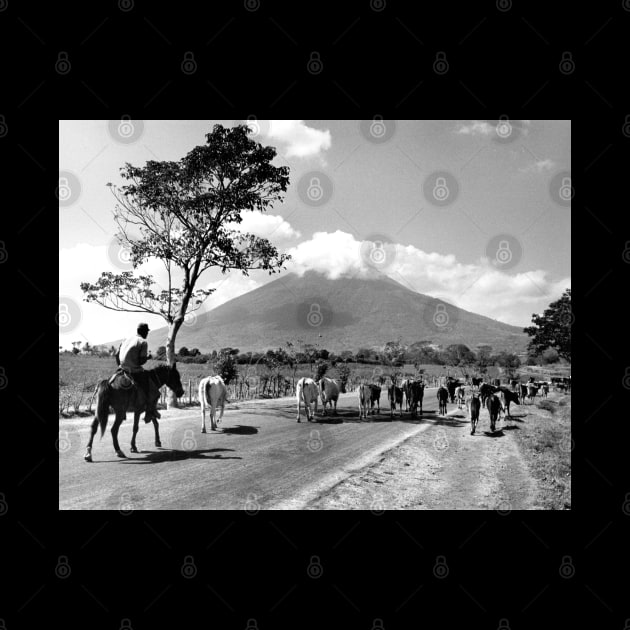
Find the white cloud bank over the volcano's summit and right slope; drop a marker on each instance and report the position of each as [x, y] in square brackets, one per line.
[477, 287]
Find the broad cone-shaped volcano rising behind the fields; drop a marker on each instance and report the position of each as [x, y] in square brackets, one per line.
[347, 313]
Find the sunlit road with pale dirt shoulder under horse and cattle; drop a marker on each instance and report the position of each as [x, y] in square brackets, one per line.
[260, 458]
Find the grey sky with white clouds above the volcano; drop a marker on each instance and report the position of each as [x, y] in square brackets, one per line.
[476, 213]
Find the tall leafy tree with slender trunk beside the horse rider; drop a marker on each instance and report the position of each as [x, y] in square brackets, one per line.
[186, 214]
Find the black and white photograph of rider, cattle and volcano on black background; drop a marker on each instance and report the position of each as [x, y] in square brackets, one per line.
[292, 315]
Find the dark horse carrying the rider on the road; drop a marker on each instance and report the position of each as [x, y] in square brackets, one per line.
[123, 396]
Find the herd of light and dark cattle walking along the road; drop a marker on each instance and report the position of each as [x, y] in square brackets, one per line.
[473, 395]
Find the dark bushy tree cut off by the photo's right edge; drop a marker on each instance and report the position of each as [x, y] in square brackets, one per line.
[552, 329]
